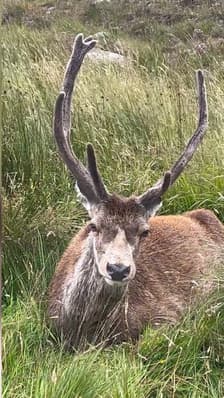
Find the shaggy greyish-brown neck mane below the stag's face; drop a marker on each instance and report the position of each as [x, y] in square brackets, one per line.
[92, 308]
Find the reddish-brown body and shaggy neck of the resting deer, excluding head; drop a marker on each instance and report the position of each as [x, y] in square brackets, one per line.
[175, 265]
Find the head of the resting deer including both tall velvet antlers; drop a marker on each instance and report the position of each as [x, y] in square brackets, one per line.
[118, 225]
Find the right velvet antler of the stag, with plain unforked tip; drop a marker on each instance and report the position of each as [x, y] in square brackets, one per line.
[157, 191]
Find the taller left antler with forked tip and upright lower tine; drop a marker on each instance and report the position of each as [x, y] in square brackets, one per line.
[89, 181]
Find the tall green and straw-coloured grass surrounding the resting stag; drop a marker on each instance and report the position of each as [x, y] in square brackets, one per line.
[138, 119]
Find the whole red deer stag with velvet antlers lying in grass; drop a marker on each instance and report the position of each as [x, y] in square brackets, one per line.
[126, 268]
